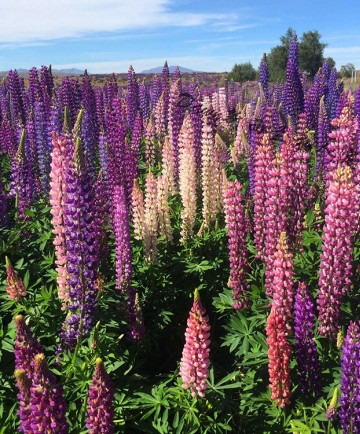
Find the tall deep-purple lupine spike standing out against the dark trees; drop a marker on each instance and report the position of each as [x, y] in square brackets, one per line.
[293, 94]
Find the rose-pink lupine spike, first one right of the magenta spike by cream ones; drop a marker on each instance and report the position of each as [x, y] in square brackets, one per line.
[265, 154]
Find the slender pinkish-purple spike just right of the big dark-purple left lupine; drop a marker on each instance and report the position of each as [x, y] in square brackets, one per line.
[122, 240]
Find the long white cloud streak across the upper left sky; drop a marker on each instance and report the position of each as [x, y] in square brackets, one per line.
[24, 20]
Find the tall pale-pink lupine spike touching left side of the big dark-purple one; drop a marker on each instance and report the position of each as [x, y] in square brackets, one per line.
[63, 148]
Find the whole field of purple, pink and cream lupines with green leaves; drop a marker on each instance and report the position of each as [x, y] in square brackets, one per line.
[179, 258]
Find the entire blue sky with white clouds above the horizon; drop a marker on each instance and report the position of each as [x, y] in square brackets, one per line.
[107, 36]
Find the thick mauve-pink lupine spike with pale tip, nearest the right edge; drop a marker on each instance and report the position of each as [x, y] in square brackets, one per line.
[337, 249]
